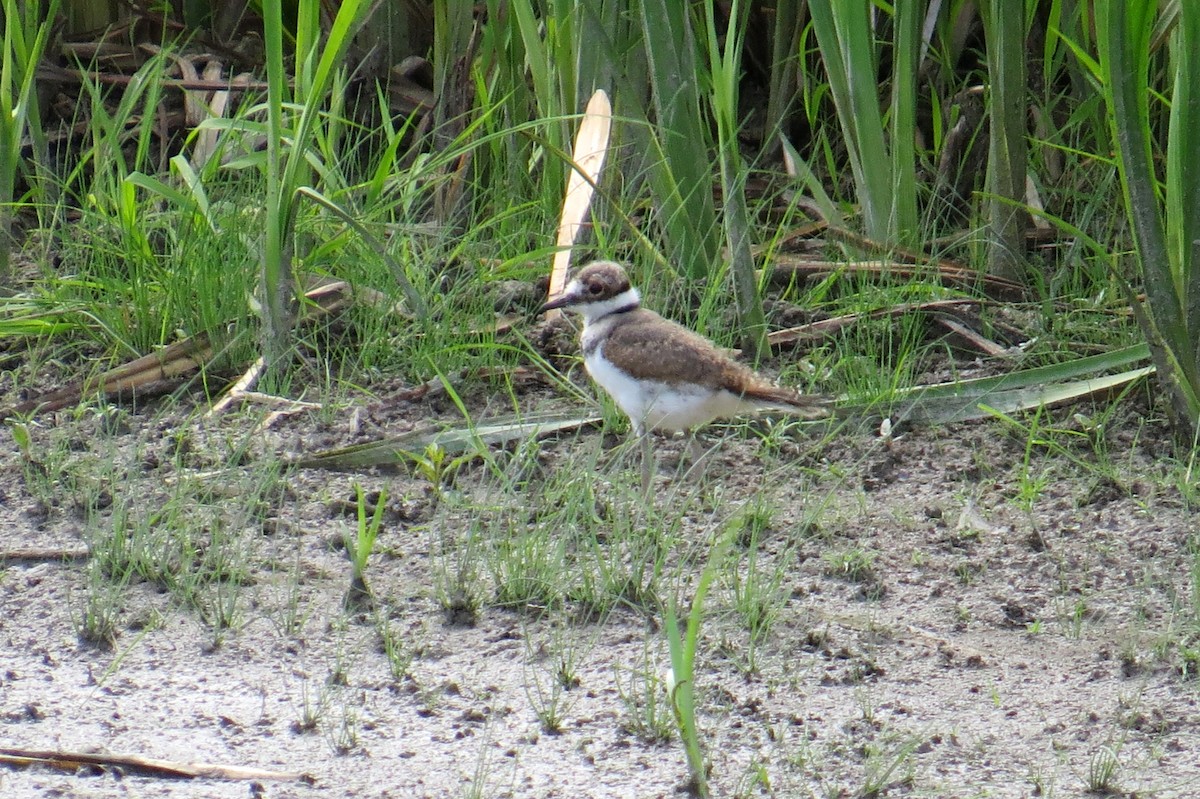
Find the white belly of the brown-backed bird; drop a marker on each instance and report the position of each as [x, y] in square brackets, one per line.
[652, 405]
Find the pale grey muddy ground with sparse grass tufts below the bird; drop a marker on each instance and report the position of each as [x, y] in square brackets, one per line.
[958, 617]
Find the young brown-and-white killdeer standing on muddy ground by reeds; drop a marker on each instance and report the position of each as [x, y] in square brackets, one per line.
[663, 376]
